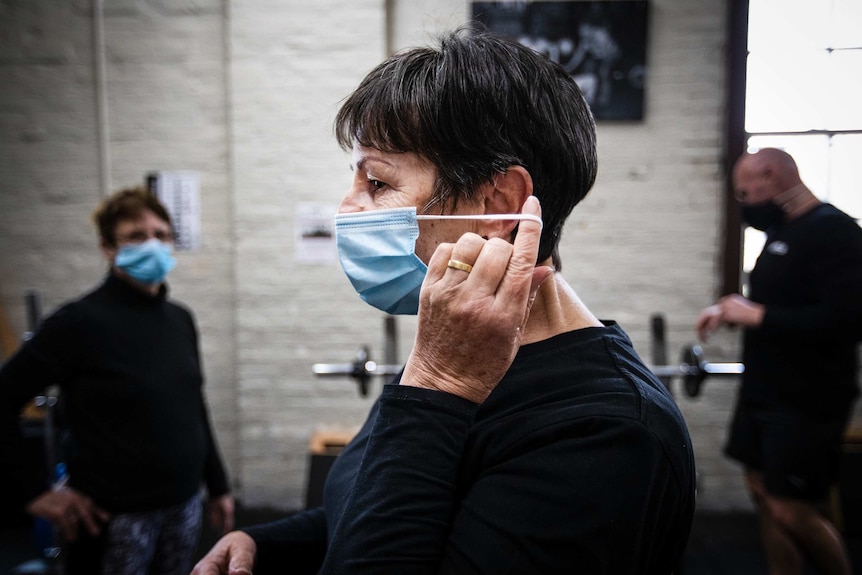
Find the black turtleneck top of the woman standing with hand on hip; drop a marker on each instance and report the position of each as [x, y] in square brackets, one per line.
[128, 367]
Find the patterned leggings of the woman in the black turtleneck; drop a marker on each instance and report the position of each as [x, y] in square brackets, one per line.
[159, 542]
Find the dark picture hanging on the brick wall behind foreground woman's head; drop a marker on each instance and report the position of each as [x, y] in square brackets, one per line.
[601, 44]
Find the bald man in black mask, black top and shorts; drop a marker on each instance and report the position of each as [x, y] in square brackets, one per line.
[802, 322]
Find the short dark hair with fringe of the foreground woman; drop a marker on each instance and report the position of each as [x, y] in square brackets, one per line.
[473, 106]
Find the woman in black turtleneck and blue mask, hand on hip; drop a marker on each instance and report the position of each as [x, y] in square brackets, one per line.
[126, 361]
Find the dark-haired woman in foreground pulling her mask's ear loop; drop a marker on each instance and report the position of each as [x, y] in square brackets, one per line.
[523, 435]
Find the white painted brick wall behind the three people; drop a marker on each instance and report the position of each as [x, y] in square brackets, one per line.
[245, 93]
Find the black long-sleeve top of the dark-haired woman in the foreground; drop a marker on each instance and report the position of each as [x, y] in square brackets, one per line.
[578, 462]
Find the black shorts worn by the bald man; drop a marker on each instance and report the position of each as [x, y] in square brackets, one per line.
[798, 456]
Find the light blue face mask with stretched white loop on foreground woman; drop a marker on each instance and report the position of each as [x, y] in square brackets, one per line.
[376, 250]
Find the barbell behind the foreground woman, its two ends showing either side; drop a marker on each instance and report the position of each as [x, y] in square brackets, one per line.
[693, 369]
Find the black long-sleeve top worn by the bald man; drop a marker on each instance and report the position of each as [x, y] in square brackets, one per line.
[809, 277]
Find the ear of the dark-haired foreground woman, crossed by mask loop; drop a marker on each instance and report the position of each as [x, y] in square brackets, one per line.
[505, 194]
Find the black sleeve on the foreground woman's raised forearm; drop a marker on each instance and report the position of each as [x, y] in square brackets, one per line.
[399, 513]
